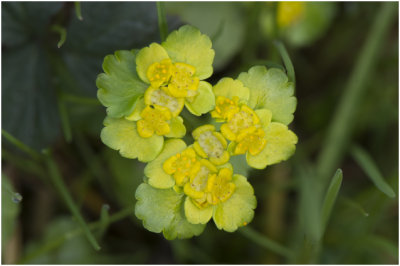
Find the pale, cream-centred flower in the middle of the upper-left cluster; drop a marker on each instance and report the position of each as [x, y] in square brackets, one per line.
[160, 97]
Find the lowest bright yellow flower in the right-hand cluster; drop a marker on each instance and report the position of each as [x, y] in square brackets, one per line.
[251, 140]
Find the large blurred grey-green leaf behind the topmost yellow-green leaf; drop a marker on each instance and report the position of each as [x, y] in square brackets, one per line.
[212, 18]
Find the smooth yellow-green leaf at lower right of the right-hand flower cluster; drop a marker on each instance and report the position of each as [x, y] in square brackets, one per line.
[280, 146]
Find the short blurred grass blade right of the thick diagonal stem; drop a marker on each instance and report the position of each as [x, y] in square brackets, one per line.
[367, 164]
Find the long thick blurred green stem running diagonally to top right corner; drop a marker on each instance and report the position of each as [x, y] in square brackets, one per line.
[339, 131]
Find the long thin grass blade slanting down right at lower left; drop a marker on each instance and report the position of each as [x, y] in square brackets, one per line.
[55, 176]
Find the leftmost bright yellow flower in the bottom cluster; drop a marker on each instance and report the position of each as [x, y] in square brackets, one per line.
[180, 165]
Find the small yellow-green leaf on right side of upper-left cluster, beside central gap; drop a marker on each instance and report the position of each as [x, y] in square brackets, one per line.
[203, 102]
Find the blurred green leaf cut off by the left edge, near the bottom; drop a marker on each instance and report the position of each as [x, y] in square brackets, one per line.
[9, 211]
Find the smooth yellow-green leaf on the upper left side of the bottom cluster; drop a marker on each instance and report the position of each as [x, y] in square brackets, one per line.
[154, 170]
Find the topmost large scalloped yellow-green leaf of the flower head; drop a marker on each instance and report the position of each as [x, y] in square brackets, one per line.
[188, 45]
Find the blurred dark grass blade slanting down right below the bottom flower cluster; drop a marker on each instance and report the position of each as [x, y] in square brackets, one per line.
[265, 241]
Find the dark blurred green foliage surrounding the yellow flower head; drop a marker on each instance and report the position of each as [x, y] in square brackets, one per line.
[345, 57]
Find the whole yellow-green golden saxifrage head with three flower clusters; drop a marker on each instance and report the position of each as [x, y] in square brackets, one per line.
[186, 186]
